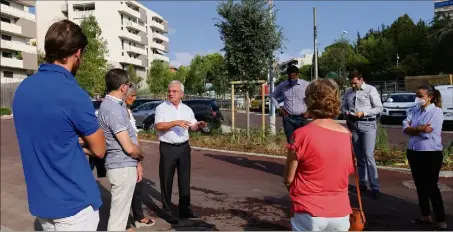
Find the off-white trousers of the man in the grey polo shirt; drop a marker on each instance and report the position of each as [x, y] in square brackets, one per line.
[123, 184]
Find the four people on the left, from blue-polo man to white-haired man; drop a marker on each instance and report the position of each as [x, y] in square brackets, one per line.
[62, 191]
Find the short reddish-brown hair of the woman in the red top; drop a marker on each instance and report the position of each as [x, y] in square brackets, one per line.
[322, 99]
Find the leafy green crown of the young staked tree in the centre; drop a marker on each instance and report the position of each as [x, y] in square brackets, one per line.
[250, 35]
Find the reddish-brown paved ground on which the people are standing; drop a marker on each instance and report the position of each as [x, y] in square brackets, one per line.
[229, 192]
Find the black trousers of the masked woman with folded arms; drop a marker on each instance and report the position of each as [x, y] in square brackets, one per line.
[425, 168]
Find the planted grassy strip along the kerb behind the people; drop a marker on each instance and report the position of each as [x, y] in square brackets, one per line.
[276, 145]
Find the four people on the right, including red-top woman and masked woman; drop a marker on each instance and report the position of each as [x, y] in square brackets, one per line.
[322, 153]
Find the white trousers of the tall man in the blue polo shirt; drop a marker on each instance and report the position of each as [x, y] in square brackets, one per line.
[85, 220]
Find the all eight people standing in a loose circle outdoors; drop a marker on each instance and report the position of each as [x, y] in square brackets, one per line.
[62, 191]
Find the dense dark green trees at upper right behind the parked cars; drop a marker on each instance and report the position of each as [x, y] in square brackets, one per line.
[423, 49]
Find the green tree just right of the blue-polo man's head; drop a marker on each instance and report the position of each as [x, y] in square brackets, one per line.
[90, 75]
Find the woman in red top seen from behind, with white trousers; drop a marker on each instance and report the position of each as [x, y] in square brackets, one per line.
[319, 163]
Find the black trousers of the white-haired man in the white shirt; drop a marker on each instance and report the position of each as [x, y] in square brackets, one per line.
[175, 157]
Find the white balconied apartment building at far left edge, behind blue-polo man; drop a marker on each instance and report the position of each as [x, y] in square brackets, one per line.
[18, 40]
